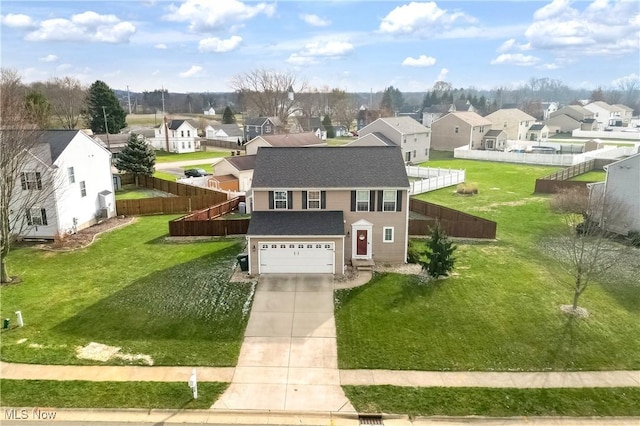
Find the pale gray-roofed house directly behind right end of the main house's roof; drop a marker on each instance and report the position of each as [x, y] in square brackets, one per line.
[413, 138]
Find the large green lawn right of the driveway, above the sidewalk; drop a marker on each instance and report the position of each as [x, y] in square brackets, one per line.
[500, 309]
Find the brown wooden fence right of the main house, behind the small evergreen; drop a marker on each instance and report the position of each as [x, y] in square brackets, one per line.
[455, 223]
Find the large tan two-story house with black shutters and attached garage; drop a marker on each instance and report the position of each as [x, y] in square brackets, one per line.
[315, 210]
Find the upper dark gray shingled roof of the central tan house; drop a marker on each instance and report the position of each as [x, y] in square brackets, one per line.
[330, 167]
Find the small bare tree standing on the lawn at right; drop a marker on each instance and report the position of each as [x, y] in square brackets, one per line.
[585, 243]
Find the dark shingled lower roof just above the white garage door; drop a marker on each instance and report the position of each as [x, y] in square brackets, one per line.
[296, 223]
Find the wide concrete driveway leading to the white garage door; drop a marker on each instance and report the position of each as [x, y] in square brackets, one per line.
[288, 360]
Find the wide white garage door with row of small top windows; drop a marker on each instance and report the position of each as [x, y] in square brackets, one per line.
[297, 257]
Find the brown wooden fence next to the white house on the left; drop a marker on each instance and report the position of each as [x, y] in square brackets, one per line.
[188, 198]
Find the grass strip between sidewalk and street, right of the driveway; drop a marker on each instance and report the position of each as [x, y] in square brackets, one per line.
[495, 402]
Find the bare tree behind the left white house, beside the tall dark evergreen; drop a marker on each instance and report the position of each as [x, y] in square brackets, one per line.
[67, 97]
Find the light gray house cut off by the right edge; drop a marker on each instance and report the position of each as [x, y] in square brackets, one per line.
[621, 189]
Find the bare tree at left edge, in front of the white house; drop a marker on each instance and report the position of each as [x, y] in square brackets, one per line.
[20, 142]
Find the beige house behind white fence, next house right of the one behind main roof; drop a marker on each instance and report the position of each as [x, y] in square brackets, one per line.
[461, 128]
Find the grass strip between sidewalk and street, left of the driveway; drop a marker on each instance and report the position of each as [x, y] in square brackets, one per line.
[84, 394]
